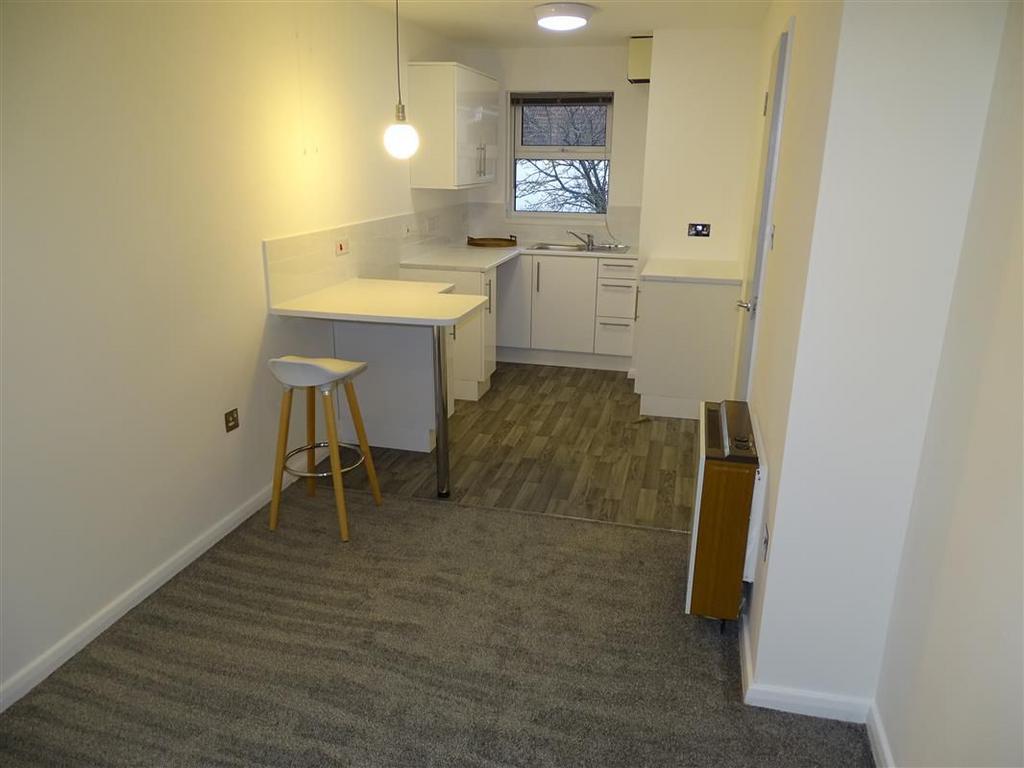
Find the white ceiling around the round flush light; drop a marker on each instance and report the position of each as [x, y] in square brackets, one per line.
[510, 24]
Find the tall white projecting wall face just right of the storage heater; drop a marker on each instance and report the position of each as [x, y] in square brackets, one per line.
[912, 86]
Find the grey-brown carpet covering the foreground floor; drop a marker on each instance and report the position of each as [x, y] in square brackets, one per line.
[441, 635]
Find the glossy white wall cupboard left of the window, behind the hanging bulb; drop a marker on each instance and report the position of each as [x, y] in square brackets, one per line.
[455, 110]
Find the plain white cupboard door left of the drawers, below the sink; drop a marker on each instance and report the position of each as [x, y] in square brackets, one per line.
[565, 304]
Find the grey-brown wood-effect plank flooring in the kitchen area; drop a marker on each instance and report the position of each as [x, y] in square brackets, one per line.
[558, 441]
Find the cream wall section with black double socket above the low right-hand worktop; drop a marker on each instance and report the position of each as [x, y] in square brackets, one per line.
[704, 132]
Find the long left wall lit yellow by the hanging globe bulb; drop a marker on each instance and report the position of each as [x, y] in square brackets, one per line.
[148, 149]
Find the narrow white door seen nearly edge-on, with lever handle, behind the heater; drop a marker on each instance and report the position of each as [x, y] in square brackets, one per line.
[764, 230]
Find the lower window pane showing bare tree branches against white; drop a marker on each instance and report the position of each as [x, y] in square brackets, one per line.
[562, 186]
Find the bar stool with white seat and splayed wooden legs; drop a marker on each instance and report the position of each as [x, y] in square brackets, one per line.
[323, 374]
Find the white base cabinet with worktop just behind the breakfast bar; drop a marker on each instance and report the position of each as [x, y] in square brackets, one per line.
[474, 343]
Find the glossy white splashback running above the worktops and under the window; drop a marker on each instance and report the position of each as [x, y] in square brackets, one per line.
[304, 264]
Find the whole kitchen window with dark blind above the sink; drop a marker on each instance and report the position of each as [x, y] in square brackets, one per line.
[561, 155]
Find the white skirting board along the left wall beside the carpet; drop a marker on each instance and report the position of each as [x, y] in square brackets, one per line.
[48, 663]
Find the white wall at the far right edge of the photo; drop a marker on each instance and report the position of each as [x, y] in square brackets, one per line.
[951, 689]
